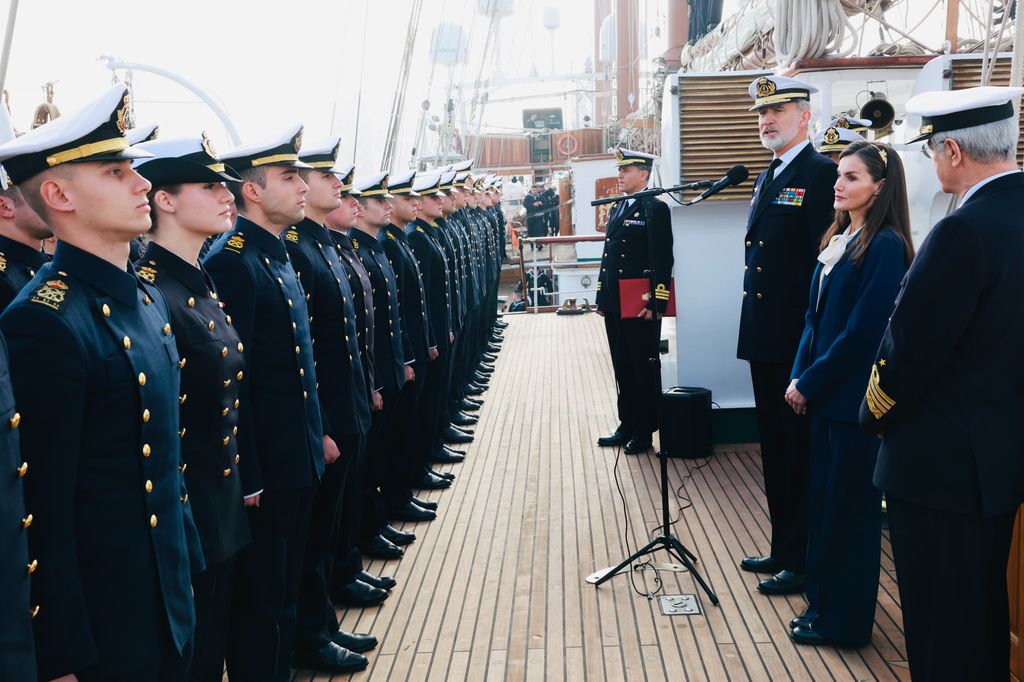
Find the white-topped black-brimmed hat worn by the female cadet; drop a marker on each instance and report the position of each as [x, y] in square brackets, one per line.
[183, 160]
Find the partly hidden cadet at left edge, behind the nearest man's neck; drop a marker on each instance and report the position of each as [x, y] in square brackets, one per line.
[22, 233]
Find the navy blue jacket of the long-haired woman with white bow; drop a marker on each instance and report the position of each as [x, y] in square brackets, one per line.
[843, 329]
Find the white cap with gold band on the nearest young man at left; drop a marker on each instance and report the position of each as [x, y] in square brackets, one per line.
[95, 134]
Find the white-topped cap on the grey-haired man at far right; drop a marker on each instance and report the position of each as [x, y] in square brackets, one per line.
[944, 110]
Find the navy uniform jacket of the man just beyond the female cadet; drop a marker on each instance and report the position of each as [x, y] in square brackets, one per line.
[281, 437]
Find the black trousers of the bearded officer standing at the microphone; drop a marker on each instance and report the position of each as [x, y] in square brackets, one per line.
[785, 457]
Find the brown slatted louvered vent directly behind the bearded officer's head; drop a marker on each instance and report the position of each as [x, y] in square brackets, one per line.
[717, 133]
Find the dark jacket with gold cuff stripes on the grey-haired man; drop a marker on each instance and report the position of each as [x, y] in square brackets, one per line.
[948, 387]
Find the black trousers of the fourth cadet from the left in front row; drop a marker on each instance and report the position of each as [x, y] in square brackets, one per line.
[325, 530]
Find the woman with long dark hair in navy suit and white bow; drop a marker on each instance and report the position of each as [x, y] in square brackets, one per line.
[865, 255]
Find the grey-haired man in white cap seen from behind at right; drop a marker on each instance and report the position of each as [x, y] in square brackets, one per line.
[945, 395]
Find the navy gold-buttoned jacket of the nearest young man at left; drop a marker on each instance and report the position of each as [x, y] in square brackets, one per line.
[96, 373]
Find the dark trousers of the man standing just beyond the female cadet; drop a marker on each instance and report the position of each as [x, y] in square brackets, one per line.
[264, 608]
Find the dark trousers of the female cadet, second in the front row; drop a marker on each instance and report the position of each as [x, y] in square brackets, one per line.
[214, 608]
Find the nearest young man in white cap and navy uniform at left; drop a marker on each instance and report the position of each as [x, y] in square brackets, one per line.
[113, 543]
